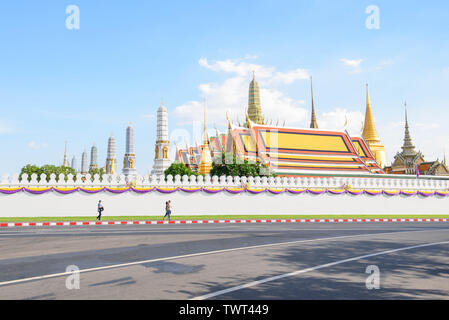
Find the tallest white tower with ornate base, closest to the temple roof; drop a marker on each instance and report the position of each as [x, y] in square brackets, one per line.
[162, 148]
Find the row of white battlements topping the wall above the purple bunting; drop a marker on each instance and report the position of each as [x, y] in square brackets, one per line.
[149, 181]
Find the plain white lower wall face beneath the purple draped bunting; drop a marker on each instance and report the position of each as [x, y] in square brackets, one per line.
[52, 204]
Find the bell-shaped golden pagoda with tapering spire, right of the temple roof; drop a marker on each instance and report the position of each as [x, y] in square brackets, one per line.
[371, 136]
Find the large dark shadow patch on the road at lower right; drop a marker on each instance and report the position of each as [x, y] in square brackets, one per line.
[421, 273]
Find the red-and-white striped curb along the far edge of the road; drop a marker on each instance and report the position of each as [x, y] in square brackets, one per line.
[156, 222]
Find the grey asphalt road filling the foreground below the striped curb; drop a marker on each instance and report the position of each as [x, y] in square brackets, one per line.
[227, 261]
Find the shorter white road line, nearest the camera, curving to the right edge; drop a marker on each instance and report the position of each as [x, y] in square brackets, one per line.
[295, 273]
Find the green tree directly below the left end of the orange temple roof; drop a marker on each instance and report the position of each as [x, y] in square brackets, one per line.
[229, 165]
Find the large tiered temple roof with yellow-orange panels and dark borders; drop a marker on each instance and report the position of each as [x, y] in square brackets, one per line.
[295, 151]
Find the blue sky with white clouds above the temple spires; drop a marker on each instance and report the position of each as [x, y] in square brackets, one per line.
[82, 85]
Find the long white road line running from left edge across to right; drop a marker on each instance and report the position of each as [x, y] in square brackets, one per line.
[200, 254]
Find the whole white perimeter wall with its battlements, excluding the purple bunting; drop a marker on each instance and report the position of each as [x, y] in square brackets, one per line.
[129, 203]
